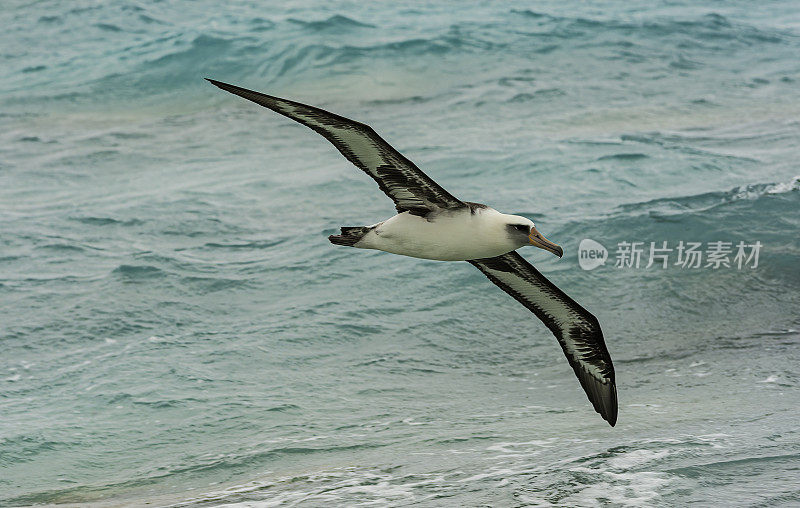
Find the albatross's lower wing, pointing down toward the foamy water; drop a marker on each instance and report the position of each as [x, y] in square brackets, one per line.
[576, 329]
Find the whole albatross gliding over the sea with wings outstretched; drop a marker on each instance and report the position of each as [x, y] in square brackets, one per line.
[431, 223]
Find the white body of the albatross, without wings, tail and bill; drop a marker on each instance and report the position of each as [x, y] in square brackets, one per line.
[456, 235]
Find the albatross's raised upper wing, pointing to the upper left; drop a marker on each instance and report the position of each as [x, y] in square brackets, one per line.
[409, 188]
